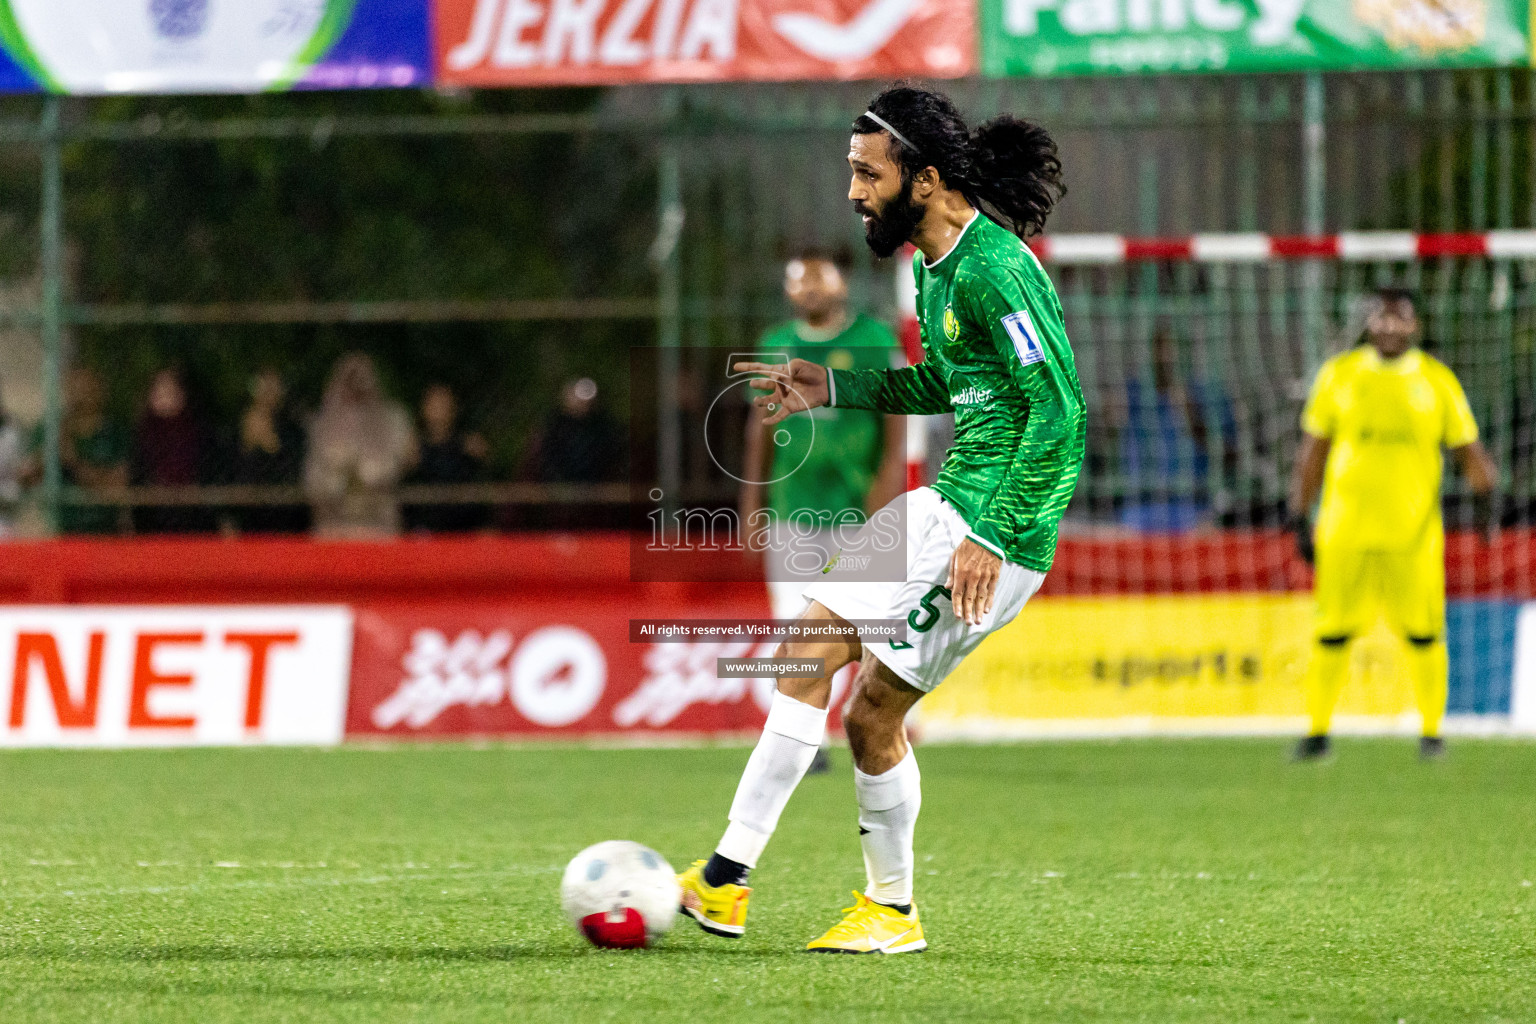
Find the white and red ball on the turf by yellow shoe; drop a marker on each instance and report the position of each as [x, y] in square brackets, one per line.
[620, 894]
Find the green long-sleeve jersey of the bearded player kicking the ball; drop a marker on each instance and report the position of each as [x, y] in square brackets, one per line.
[999, 358]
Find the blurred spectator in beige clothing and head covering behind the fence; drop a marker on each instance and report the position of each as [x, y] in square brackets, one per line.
[360, 448]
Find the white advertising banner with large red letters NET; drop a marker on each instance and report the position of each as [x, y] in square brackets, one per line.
[174, 676]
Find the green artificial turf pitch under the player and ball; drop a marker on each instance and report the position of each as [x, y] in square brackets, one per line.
[1170, 880]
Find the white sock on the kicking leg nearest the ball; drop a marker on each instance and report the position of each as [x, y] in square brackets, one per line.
[778, 764]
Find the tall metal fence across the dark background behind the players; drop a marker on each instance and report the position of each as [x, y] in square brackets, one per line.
[661, 217]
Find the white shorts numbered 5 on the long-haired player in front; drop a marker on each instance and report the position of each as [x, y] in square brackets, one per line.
[938, 641]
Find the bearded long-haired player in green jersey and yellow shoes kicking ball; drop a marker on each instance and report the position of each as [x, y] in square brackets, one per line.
[979, 543]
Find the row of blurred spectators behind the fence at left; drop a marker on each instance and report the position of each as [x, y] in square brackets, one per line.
[336, 471]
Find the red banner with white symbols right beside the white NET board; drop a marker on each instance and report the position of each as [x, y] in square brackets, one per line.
[552, 669]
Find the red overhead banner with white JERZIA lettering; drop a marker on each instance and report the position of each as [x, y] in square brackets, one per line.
[607, 42]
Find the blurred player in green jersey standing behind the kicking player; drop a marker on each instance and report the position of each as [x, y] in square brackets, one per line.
[832, 466]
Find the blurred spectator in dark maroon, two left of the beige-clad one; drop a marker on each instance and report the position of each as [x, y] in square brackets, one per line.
[173, 448]
